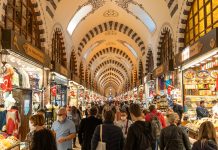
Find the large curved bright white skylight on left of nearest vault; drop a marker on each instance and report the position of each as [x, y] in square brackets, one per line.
[82, 13]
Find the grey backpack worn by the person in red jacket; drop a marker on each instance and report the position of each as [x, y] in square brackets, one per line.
[155, 126]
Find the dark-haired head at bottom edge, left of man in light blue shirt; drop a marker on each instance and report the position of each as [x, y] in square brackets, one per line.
[43, 140]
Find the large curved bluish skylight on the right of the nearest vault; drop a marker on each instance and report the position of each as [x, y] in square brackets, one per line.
[143, 16]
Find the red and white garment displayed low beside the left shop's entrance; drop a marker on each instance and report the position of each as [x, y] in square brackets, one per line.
[13, 122]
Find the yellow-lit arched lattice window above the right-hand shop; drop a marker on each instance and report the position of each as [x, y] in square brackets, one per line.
[203, 17]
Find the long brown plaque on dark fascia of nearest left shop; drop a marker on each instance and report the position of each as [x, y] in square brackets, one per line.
[33, 52]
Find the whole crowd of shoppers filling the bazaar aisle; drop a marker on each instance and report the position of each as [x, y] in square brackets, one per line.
[118, 127]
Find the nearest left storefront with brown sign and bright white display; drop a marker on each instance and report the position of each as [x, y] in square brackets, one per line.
[23, 81]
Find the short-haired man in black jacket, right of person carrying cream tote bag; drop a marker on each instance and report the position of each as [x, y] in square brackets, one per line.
[139, 135]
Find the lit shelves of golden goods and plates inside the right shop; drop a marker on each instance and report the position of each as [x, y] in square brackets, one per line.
[200, 82]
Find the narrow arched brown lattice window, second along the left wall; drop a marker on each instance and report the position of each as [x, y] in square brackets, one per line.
[58, 49]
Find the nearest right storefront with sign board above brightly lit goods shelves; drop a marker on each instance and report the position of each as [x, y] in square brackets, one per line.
[200, 73]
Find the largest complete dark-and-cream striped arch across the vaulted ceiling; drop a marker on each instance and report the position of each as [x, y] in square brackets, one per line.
[112, 25]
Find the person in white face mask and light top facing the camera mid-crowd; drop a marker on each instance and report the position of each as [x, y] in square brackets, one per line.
[124, 123]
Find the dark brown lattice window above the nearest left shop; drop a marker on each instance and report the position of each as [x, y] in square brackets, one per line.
[19, 16]
